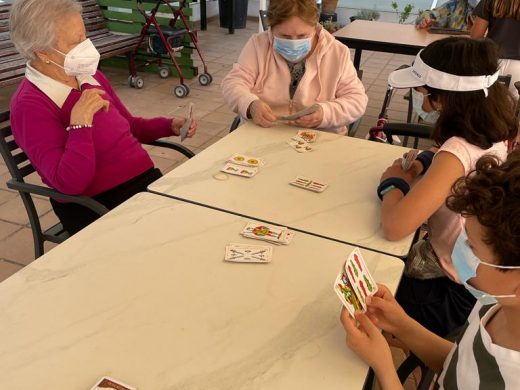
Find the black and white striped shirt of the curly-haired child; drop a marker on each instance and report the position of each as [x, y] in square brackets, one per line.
[475, 363]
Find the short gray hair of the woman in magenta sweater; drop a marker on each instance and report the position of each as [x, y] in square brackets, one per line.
[32, 24]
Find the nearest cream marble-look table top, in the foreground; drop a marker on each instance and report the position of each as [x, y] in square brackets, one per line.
[143, 295]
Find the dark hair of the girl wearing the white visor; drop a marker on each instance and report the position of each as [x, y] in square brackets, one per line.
[480, 120]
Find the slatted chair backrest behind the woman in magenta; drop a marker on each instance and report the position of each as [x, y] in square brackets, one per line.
[15, 159]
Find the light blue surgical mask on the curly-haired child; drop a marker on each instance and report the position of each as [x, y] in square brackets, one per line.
[466, 264]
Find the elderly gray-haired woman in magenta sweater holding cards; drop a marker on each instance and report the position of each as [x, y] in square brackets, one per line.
[69, 121]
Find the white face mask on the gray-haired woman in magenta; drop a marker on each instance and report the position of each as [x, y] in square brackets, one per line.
[81, 60]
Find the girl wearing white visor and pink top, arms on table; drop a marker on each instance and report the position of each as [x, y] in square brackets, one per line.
[457, 78]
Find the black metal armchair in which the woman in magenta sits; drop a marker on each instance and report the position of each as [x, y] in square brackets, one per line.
[20, 167]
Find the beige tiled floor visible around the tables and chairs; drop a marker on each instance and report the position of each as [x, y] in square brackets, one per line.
[220, 51]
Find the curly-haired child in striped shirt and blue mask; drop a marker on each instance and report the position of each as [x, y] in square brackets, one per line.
[486, 355]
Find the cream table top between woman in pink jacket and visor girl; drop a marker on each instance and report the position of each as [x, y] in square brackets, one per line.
[348, 210]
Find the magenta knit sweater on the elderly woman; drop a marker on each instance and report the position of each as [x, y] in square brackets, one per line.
[85, 161]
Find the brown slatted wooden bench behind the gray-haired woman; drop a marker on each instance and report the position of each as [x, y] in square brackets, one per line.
[12, 64]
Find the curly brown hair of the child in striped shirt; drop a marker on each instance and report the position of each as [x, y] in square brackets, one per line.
[491, 193]
